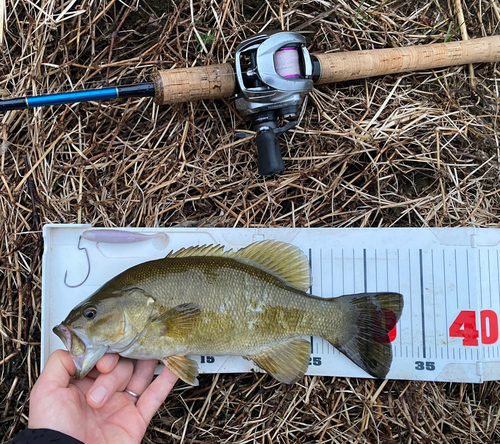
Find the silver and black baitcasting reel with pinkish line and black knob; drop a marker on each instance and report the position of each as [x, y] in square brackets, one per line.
[274, 74]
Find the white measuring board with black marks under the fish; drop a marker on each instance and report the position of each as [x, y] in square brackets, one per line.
[449, 278]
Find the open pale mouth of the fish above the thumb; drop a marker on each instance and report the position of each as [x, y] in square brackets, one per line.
[82, 351]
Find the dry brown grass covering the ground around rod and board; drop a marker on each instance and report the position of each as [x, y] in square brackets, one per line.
[418, 149]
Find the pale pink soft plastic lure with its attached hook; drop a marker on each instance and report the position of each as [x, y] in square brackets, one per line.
[160, 241]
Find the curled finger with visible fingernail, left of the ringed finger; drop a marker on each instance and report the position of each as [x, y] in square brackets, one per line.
[107, 384]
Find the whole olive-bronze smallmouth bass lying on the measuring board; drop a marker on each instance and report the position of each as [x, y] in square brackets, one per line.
[207, 301]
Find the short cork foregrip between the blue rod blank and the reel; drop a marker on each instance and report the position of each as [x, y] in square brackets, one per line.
[188, 84]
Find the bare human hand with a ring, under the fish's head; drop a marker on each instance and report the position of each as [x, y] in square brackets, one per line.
[95, 409]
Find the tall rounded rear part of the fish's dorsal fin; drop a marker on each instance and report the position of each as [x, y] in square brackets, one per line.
[286, 261]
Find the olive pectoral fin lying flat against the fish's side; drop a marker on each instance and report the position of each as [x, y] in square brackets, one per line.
[178, 321]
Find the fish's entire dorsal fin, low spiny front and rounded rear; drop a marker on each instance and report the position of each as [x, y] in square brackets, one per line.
[283, 260]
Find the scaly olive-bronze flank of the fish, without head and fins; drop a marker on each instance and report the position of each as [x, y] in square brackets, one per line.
[244, 308]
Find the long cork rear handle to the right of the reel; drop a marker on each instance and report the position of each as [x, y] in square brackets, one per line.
[338, 67]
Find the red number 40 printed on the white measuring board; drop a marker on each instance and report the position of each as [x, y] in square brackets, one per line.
[464, 326]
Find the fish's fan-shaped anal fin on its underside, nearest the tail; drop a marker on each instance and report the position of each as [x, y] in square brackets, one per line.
[287, 361]
